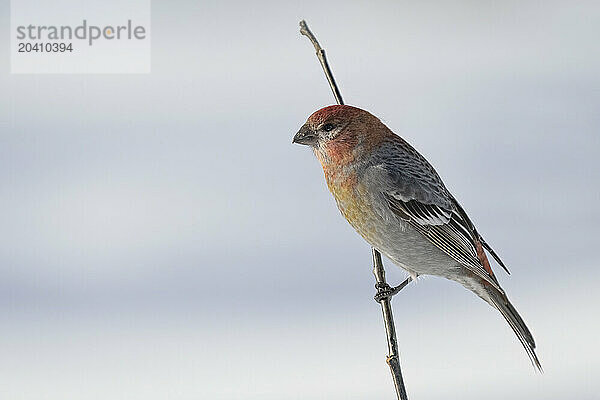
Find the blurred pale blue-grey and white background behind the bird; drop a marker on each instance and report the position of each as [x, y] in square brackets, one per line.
[161, 237]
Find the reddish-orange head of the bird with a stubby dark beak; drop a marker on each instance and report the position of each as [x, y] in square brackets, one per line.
[339, 130]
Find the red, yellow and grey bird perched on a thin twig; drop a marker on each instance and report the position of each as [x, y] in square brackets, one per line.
[394, 198]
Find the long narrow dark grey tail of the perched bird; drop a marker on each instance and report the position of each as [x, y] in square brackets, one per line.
[499, 301]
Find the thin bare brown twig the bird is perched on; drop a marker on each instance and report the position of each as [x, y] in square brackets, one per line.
[393, 359]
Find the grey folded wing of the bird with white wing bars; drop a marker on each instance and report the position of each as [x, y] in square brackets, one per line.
[415, 193]
